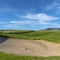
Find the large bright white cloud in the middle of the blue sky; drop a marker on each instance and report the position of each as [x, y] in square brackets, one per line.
[41, 17]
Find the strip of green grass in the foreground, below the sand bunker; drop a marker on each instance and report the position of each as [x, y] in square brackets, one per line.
[4, 56]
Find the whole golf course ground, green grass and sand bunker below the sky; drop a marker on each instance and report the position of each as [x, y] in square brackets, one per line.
[30, 44]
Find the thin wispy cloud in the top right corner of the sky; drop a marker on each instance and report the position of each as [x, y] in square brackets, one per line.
[55, 5]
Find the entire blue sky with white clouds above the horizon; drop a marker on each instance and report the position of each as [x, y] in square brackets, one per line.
[29, 14]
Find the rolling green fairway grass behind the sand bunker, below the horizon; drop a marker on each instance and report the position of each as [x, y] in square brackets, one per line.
[53, 36]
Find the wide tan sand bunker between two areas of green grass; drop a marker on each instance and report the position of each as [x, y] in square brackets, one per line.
[30, 47]
